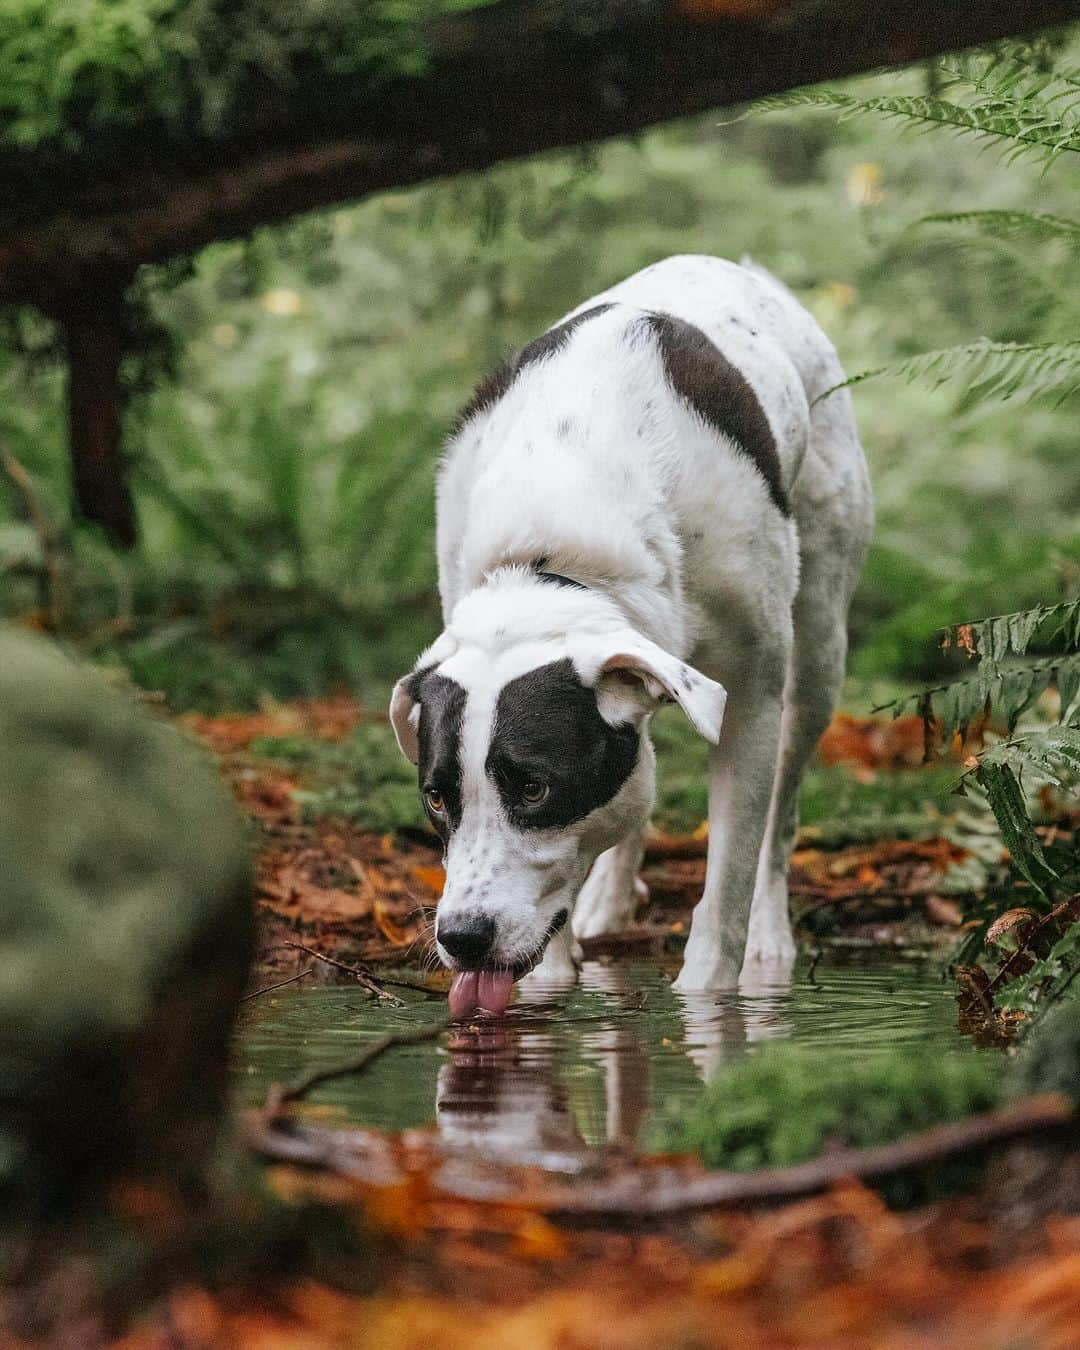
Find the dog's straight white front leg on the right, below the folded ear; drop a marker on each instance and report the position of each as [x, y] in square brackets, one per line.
[740, 785]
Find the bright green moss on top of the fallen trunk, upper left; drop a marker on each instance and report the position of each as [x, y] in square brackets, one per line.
[72, 70]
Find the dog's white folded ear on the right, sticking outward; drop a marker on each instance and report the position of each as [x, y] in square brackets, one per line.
[627, 669]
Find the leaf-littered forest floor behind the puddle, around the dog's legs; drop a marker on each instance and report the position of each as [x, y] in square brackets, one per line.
[361, 894]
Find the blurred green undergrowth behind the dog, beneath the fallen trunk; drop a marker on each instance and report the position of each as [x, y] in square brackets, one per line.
[283, 458]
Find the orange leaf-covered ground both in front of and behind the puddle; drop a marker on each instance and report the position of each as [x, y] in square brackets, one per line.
[460, 1255]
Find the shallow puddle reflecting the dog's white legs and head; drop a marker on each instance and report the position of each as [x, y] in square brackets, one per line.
[599, 1064]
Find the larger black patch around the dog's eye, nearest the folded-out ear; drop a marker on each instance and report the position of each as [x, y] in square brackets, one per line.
[549, 731]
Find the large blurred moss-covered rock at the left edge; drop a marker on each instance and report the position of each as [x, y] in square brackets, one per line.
[126, 934]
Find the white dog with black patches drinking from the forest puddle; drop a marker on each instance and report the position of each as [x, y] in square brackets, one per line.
[647, 484]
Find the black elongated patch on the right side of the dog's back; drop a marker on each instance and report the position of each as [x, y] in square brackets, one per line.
[720, 395]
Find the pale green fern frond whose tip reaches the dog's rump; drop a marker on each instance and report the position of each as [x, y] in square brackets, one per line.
[993, 371]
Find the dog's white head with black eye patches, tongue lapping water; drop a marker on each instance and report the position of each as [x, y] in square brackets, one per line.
[527, 723]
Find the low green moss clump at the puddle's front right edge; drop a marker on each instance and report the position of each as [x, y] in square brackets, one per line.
[782, 1105]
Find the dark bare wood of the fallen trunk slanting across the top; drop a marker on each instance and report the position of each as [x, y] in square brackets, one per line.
[506, 80]
